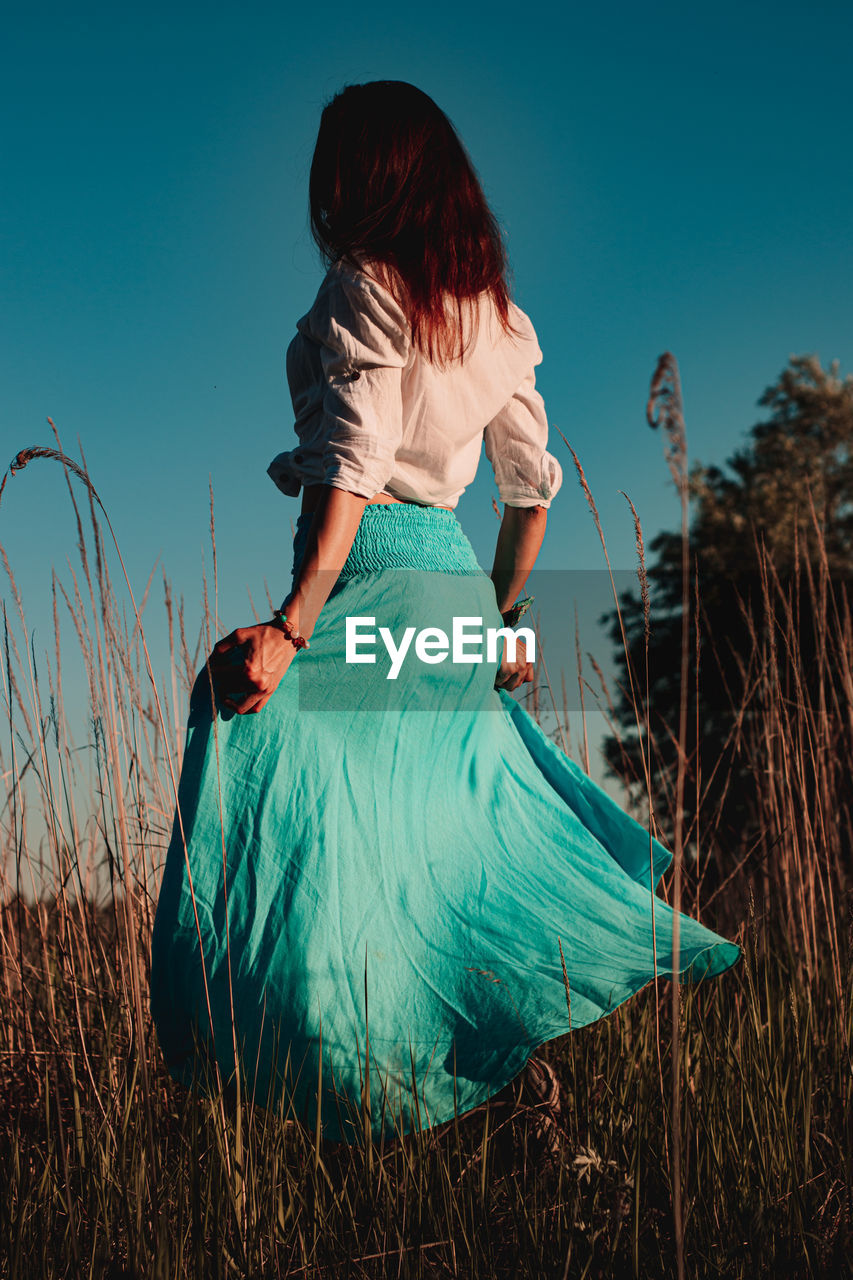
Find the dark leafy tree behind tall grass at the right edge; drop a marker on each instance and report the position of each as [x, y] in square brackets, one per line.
[769, 629]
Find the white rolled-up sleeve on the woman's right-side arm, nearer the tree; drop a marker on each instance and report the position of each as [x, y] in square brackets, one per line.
[516, 441]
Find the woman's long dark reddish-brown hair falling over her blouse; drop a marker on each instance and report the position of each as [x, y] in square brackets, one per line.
[393, 185]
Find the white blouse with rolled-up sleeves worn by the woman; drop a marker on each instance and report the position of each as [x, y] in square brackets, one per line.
[373, 415]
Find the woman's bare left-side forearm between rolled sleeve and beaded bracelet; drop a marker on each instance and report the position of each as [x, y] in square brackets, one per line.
[331, 537]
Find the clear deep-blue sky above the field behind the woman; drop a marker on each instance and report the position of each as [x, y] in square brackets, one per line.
[670, 177]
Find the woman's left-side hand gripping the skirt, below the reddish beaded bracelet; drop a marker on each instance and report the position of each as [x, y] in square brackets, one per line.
[247, 680]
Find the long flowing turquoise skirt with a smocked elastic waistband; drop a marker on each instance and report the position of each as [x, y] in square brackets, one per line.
[373, 884]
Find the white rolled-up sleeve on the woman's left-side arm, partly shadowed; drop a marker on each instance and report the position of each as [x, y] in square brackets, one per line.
[364, 348]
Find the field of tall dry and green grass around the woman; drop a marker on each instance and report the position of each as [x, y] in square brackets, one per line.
[709, 1136]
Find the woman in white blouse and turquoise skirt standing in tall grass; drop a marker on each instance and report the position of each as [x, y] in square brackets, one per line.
[380, 862]
